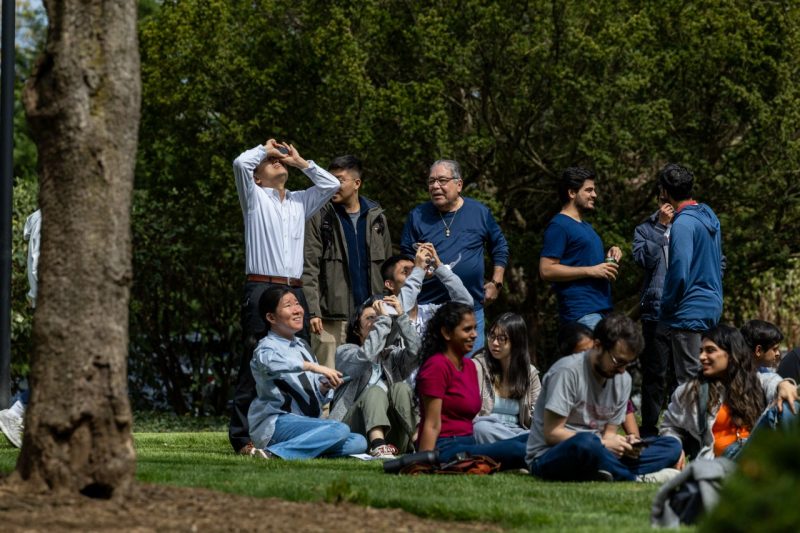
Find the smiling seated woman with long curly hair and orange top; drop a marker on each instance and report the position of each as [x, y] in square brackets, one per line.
[731, 396]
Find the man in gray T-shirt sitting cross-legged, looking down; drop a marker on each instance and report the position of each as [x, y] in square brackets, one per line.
[574, 435]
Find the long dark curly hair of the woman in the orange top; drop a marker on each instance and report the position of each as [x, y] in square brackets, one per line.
[739, 385]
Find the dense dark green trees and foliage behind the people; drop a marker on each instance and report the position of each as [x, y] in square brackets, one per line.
[516, 91]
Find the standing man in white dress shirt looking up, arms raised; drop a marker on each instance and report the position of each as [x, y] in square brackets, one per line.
[274, 230]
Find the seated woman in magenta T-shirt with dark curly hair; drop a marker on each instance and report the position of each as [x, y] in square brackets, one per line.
[447, 386]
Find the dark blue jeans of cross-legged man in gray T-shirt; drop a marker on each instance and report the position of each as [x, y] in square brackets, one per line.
[580, 457]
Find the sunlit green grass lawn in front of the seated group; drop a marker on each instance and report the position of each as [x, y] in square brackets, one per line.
[511, 500]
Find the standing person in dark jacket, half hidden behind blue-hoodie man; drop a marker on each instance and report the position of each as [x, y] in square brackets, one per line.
[650, 248]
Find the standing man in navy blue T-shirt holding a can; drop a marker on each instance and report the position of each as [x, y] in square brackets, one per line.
[573, 257]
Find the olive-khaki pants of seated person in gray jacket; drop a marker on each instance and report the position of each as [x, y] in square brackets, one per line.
[393, 410]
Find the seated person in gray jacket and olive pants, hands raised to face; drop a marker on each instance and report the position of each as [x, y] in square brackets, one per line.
[377, 402]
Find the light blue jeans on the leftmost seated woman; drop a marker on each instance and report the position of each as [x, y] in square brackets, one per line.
[303, 437]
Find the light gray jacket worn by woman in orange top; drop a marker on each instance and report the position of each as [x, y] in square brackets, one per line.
[680, 418]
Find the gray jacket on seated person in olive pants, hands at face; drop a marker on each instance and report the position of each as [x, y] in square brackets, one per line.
[393, 344]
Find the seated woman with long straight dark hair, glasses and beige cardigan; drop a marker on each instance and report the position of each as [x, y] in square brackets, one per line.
[509, 383]
